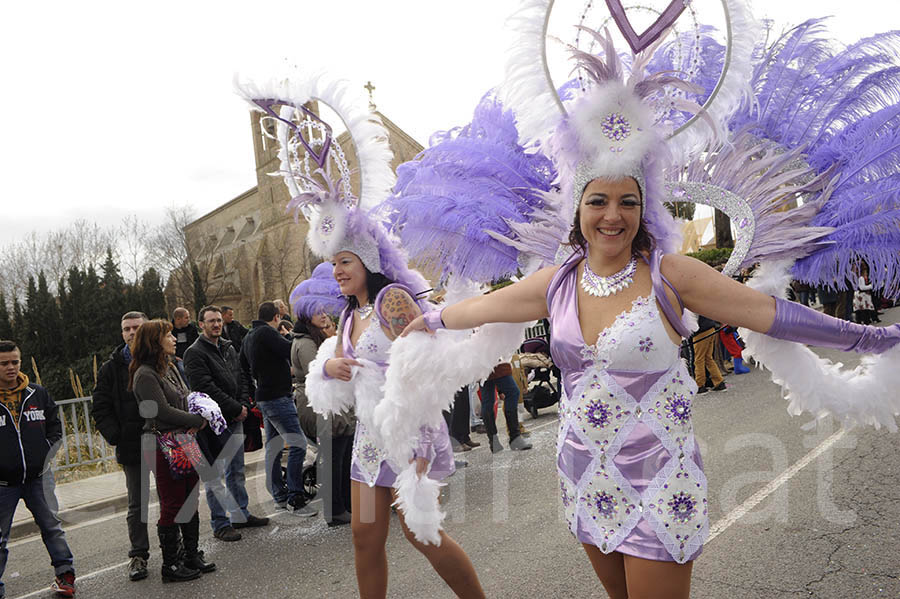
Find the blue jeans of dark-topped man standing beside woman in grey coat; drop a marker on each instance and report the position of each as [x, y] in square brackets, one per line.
[282, 427]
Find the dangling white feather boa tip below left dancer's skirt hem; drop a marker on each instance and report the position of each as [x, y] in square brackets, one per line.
[417, 498]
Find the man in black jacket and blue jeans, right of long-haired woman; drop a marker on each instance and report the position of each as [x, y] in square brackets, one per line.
[212, 366]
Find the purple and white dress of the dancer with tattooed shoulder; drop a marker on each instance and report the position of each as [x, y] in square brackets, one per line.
[369, 463]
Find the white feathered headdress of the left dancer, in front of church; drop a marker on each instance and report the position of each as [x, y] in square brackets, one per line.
[309, 155]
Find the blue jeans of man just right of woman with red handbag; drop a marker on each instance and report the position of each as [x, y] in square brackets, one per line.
[235, 499]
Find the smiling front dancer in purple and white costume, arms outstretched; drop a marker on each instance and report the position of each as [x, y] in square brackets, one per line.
[631, 477]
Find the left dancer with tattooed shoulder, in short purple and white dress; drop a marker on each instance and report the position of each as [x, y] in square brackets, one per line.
[377, 312]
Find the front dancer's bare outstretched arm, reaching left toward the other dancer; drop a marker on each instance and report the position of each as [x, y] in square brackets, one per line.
[520, 302]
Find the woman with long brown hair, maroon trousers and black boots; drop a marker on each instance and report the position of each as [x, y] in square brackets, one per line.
[162, 399]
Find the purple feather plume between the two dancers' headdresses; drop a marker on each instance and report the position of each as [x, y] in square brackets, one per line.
[469, 186]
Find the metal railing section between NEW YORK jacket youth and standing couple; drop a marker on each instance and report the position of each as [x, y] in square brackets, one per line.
[82, 444]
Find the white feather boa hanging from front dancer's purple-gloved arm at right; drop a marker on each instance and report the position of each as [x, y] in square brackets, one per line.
[866, 395]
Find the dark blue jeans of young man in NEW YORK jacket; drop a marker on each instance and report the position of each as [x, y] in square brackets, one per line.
[40, 498]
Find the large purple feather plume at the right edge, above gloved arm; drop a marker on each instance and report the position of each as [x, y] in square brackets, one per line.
[841, 108]
